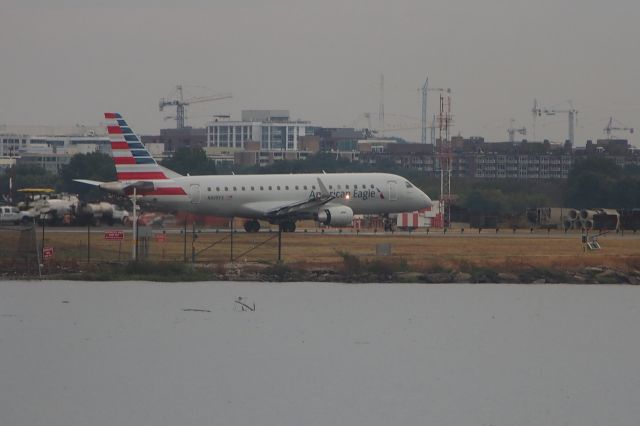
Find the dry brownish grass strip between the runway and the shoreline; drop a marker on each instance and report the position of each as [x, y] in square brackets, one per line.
[506, 250]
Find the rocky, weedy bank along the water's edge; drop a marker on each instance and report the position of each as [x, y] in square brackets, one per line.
[351, 270]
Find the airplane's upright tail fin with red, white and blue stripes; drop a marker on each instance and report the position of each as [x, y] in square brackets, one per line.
[132, 160]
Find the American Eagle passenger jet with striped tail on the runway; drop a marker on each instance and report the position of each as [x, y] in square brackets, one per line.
[331, 199]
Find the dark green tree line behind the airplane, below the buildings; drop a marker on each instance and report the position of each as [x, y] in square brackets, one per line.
[592, 182]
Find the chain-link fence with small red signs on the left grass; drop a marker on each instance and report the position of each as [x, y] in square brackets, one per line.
[22, 246]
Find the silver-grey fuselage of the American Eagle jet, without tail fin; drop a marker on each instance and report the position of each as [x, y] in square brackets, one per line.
[252, 195]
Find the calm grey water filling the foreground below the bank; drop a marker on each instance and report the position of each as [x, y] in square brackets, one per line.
[316, 354]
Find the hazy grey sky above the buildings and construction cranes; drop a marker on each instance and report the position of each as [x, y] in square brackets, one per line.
[66, 62]
